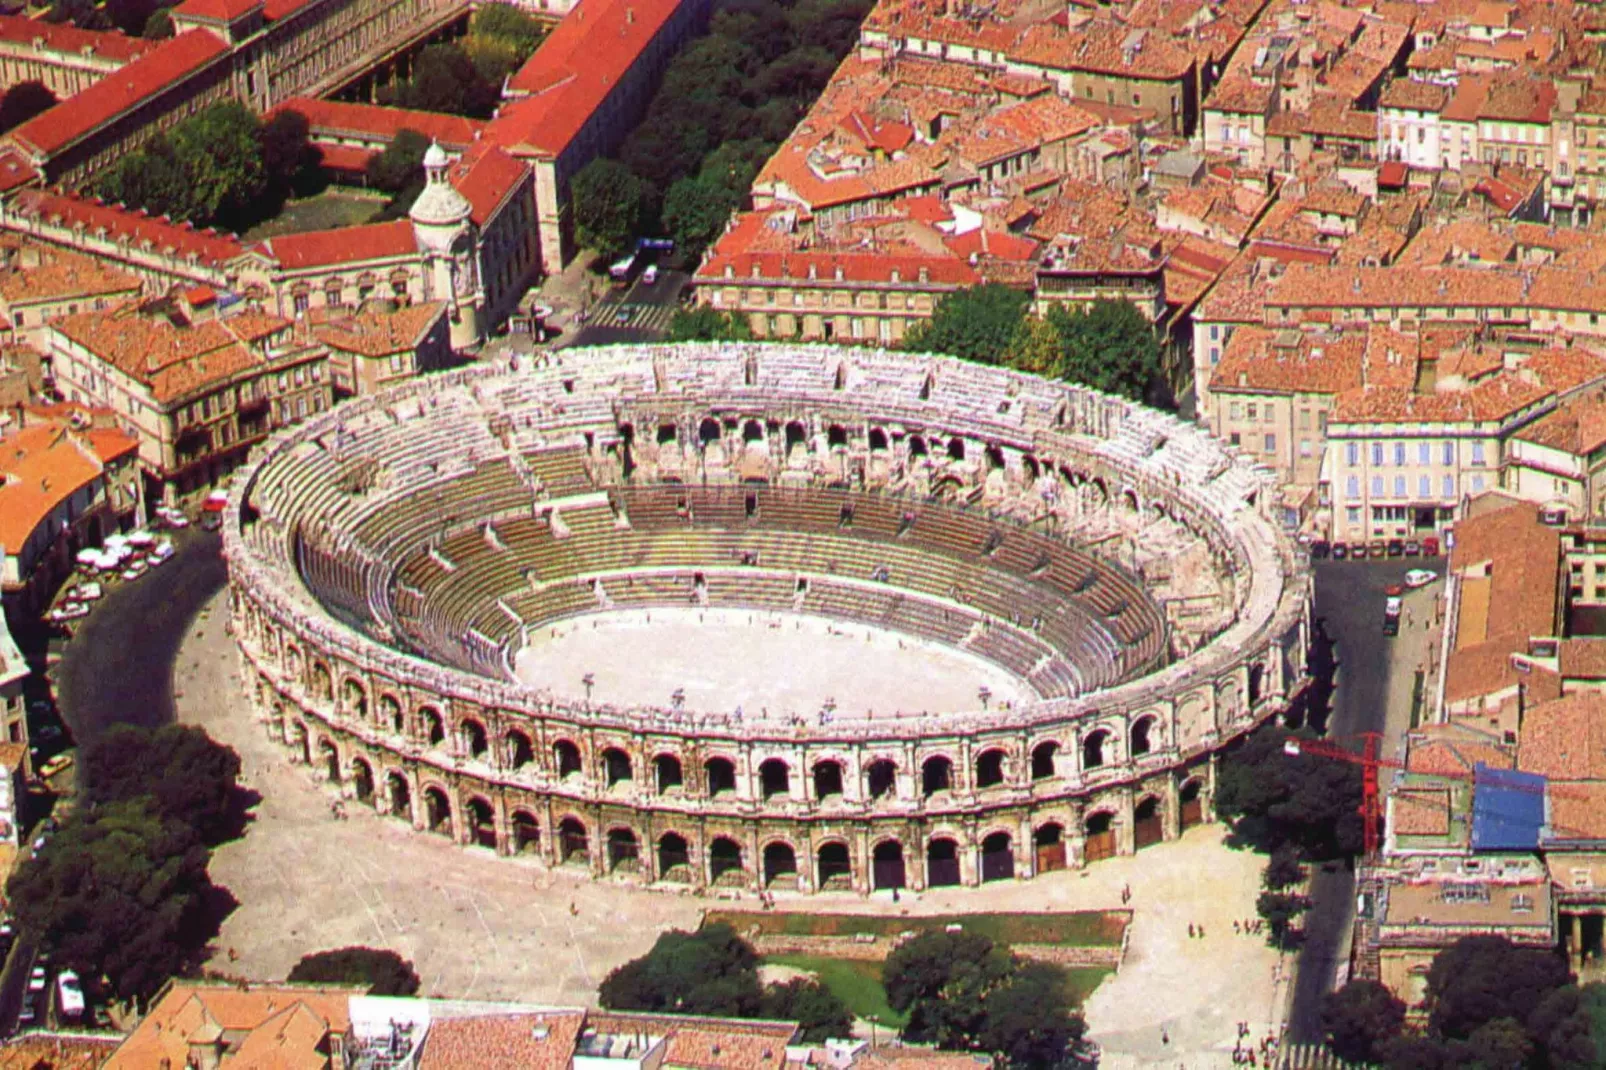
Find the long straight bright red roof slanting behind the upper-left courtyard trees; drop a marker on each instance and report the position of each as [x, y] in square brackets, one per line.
[118, 94]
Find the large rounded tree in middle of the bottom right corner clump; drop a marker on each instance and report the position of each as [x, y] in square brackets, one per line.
[1482, 979]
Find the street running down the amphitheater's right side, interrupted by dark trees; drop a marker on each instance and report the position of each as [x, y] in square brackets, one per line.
[1374, 690]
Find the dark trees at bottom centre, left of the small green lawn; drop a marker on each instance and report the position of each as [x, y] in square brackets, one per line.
[714, 971]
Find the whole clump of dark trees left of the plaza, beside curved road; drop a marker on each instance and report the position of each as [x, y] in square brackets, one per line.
[121, 891]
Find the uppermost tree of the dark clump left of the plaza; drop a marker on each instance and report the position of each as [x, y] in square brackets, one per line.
[184, 774]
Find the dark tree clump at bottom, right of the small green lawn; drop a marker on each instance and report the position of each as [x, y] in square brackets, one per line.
[963, 992]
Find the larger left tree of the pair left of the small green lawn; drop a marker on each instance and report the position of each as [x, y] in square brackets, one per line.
[711, 971]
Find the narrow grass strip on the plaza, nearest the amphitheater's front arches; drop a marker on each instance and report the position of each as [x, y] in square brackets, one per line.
[1083, 929]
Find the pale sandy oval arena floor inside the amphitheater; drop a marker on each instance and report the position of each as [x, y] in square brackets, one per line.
[767, 664]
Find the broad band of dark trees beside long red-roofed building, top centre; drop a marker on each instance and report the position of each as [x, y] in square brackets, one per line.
[728, 100]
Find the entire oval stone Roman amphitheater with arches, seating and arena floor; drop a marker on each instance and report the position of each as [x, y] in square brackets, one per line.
[762, 616]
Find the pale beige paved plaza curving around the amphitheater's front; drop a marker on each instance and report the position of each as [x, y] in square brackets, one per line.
[489, 928]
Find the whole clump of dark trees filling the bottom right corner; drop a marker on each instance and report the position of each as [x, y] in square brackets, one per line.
[1490, 1005]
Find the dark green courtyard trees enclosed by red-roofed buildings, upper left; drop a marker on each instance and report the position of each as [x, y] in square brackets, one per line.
[219, 168]
